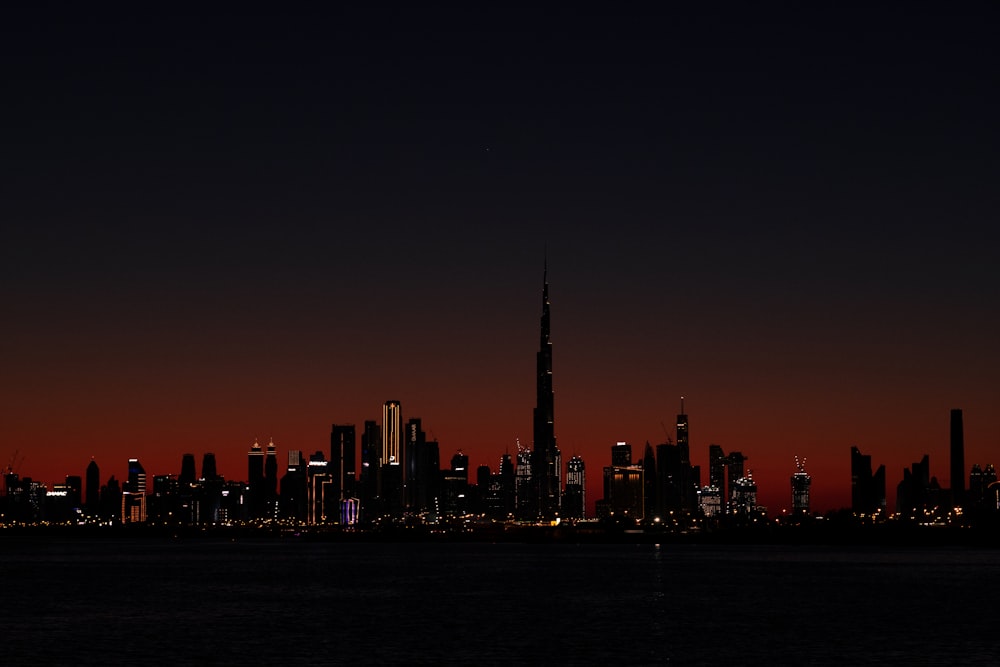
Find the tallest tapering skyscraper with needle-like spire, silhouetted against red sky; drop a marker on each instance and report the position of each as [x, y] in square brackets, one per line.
[546, 461]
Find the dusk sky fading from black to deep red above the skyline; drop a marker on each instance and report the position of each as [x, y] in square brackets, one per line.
[218, 227]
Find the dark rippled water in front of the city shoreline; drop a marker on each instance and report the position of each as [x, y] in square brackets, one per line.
[249, 602]
